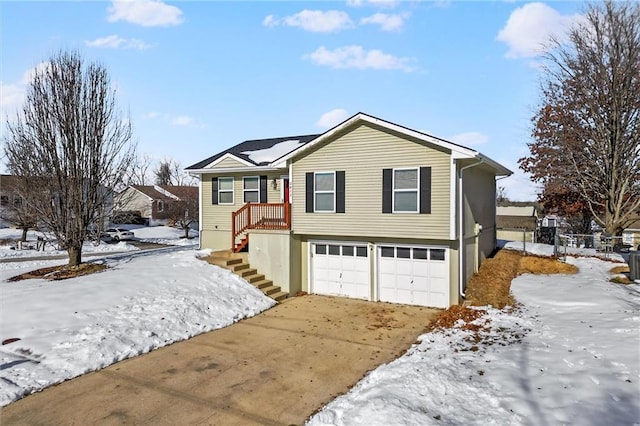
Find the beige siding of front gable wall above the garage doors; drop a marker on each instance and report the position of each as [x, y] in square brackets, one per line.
[362, 153]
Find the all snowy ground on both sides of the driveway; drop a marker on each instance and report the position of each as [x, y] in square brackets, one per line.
[570, 354]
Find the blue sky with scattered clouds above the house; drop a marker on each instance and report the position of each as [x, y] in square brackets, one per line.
[198, 77]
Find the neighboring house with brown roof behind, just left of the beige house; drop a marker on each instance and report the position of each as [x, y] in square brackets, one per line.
[156, 204]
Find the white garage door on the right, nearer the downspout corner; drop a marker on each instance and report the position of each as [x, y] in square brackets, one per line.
[414, 275]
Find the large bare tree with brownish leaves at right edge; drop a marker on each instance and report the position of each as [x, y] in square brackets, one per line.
[591, 102]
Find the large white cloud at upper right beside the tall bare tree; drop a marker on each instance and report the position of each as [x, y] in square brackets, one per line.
[530, 27]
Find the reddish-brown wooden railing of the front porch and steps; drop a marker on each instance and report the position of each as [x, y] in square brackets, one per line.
[259, 216]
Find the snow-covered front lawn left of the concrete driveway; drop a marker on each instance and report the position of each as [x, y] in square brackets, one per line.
[83, 324]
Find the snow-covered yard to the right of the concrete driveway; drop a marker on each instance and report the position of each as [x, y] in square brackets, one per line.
[569, 355]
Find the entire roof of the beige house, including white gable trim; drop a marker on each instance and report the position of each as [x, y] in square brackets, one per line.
[250, 151]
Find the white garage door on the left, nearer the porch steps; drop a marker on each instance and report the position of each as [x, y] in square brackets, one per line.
[340, 269]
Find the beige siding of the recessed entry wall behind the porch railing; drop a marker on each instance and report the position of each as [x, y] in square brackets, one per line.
[218, 217]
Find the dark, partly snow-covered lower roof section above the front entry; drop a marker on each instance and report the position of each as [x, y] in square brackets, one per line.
[258, 152]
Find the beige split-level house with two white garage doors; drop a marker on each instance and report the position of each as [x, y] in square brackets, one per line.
[368, 209]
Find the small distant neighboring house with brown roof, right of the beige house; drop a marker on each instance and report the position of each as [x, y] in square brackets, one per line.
[517, 222]
